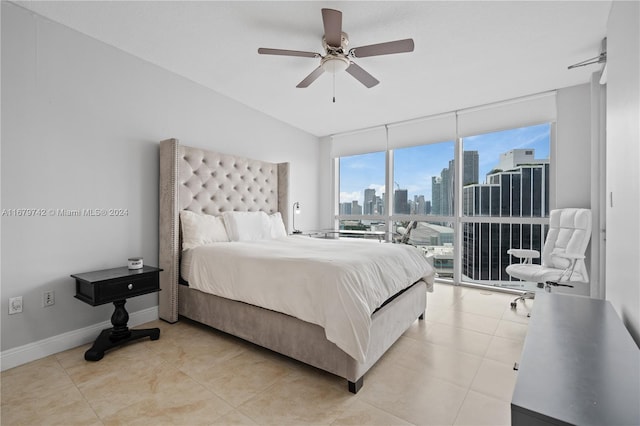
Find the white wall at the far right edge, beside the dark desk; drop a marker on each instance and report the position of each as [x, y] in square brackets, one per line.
[623, 163]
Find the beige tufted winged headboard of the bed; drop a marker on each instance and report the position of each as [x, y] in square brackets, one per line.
[208, 182]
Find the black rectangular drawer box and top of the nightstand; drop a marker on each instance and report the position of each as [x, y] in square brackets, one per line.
[117, 284]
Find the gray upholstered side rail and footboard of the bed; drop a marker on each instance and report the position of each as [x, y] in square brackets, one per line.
[301, 340]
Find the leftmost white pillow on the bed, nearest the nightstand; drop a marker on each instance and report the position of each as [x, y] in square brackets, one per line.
[201, 229]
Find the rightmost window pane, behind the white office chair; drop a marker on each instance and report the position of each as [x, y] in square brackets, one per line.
[506, 176]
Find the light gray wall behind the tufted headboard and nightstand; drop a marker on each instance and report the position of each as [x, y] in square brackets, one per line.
[81, 122]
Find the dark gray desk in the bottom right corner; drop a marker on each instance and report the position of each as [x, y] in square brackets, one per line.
[579, 365]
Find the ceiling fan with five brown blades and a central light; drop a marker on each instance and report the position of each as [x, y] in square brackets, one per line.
[337, 58]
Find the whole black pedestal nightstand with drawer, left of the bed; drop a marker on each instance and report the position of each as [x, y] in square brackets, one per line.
[116, 285]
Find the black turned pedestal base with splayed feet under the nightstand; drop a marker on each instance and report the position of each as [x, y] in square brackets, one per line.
[118, 334]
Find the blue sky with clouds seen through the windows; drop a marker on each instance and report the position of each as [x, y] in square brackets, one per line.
[415, 166]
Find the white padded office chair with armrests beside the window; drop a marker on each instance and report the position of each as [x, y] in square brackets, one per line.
[562, 254]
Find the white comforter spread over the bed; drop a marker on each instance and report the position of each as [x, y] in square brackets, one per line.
[336, 284]
